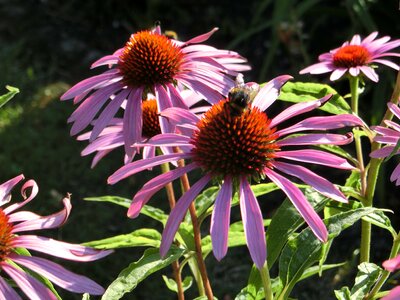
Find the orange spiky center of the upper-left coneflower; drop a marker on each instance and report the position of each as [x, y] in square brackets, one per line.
[148, 59]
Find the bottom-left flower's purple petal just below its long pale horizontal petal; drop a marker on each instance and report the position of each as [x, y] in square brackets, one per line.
[59, 275]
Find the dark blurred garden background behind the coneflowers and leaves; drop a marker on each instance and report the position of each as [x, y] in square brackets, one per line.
[47, 46]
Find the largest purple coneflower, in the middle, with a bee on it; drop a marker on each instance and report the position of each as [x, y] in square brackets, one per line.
[234, 147]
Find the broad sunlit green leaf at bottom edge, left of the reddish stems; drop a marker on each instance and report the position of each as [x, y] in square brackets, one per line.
[136, 272]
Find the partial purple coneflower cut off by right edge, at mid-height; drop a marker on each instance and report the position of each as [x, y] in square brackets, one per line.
[390, 136]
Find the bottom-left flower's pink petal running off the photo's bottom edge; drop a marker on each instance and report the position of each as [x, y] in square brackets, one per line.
[34, 289]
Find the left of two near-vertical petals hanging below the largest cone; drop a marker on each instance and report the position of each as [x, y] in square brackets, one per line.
[220, 219]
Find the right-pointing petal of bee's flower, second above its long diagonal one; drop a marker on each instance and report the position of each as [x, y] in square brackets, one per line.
[316, 157]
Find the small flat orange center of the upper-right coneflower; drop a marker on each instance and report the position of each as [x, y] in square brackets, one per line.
[351, 56]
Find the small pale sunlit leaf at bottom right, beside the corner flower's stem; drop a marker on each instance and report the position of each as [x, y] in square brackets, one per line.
[368, 274]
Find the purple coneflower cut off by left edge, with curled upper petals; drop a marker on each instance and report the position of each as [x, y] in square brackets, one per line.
[13, 263]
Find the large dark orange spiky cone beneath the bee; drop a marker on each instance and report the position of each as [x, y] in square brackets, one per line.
[230, 144]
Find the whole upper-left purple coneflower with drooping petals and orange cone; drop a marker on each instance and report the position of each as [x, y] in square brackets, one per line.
[151, 63]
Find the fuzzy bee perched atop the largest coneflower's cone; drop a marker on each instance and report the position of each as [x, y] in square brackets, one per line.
[241, 96]
